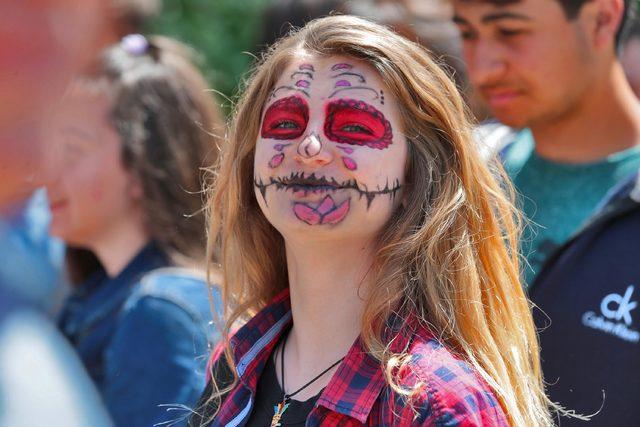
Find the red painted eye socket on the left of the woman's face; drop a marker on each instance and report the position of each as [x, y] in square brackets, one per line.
[285, 119]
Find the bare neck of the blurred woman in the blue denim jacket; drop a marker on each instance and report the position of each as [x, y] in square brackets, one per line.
[116, 247]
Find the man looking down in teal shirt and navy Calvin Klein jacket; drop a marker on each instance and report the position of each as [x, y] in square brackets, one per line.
[551, 66]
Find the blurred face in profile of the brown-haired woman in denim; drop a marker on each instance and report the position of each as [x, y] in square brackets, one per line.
[90, 193]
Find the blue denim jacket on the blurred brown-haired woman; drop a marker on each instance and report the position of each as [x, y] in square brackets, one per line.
[144, 338]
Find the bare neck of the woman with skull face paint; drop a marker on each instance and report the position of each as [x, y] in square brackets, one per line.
[328, 283]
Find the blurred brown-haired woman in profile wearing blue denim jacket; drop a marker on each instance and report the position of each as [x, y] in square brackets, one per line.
[132, 137]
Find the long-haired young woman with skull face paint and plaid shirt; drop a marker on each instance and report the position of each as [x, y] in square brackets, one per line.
[367, 246]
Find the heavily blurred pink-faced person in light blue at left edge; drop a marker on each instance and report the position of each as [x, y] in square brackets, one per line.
[40, 39]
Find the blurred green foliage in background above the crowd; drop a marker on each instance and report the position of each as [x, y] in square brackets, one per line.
[223, 32]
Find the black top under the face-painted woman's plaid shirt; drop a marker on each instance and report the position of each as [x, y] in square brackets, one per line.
[268, 394]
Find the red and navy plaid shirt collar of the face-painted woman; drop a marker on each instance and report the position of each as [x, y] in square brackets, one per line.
[352, 390]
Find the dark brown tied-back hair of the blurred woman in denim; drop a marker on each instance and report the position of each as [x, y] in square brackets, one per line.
[169, 127]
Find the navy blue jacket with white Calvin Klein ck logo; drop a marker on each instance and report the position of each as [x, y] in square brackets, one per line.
[587, 295]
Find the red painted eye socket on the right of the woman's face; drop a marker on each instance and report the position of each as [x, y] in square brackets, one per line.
[357, 123]
